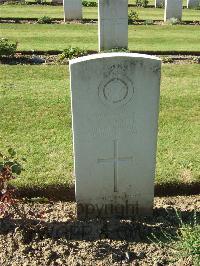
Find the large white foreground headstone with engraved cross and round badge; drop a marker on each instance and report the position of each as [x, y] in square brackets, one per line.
[115, 102]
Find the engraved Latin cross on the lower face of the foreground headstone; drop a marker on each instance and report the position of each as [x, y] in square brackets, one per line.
[115, 160]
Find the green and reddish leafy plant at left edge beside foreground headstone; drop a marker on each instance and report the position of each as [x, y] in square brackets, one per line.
[10, 165]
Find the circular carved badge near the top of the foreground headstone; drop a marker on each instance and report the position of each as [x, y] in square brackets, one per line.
[116, 91]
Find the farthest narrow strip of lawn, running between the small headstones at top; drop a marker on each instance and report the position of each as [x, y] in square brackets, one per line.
[36, 11]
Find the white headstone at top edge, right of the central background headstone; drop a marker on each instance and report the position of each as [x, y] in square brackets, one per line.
[173, 9]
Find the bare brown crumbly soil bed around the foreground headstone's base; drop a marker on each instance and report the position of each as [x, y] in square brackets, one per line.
[55, 237]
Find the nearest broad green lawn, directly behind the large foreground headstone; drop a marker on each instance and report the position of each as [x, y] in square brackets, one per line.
[36, 121]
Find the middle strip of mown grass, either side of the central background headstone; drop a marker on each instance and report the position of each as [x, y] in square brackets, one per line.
[58, 37]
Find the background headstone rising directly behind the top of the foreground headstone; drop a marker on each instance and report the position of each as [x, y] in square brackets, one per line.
[112, 24]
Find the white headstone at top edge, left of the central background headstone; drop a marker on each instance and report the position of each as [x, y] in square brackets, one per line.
[72, 9]
